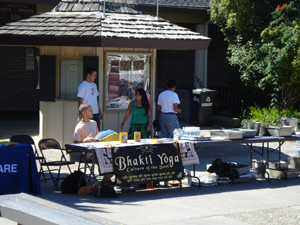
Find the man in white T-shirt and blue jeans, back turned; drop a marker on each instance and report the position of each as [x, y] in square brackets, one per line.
[167, 105]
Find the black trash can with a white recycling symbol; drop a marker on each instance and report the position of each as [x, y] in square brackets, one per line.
[201, 106]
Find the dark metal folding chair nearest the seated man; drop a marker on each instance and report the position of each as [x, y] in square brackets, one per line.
[51, 144]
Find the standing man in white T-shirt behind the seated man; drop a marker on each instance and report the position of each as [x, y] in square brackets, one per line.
[88, 93]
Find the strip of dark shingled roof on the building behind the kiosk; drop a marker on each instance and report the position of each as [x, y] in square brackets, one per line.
[200, 4]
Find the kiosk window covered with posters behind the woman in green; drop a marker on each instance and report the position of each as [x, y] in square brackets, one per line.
[125, 73]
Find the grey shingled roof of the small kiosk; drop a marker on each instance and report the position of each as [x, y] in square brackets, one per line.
[82, 23]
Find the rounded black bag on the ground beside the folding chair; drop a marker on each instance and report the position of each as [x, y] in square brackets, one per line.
[73, 182]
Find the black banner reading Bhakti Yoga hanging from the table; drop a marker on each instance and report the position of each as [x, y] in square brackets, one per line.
[147, 163]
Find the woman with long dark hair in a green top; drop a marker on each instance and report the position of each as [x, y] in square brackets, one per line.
[141, 115]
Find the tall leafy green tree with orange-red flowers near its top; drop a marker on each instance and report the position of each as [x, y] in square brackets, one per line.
[264, 43]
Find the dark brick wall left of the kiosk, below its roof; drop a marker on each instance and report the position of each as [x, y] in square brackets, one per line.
[17, 85]
